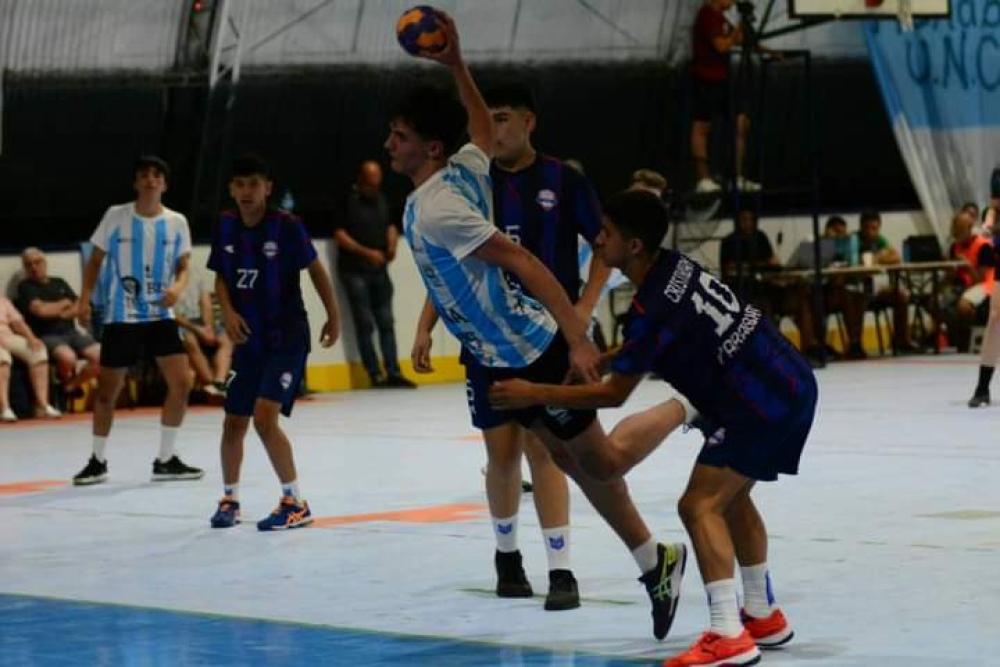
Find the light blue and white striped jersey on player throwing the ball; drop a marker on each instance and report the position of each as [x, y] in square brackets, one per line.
[446, 220]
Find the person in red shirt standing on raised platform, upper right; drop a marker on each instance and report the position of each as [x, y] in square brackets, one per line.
[713, 38]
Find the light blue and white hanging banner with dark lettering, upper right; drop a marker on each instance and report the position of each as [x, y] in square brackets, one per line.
[941, 86]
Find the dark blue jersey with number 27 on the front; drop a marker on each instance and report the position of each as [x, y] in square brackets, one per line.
[261, 266]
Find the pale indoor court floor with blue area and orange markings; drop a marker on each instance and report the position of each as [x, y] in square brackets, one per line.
[884, 552]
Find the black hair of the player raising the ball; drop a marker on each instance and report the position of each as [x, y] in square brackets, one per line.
[435, 114]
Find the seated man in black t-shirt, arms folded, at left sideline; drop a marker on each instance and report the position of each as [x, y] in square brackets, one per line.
[50, 308]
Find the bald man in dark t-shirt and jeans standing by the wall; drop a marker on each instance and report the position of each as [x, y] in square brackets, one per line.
[367, 238]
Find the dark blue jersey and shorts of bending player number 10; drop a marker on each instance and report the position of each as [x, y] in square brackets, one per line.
[755, 393]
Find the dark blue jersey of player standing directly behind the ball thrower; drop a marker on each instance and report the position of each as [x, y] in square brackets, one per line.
[544, 207]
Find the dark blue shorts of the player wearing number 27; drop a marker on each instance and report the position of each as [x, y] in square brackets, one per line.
[275, 377]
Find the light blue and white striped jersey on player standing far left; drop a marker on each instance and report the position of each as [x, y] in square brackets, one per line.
[141, 261]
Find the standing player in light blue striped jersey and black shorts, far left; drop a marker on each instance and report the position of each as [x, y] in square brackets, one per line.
[147, 247]
